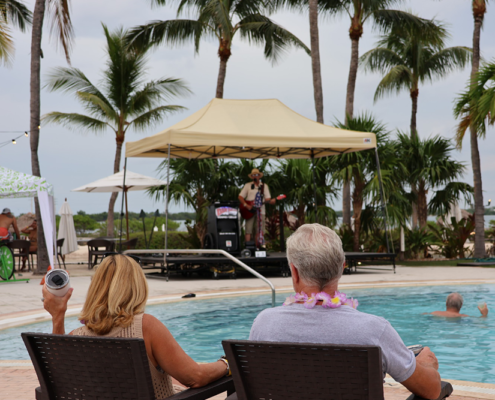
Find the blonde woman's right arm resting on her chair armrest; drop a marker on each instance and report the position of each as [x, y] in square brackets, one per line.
[164, 351]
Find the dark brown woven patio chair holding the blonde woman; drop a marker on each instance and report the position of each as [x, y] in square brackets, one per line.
[82, 367]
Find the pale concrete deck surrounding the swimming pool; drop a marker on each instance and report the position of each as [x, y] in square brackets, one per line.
[21, 304]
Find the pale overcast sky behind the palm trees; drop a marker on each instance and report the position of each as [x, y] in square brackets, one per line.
[69, 159]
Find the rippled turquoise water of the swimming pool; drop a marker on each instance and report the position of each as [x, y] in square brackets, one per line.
[465, 347]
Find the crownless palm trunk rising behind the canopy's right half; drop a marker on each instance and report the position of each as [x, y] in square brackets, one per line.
[315, 59]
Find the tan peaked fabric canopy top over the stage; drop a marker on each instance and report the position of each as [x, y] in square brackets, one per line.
[249, 129]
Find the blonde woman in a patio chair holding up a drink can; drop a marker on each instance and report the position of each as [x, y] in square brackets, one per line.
[114, 307]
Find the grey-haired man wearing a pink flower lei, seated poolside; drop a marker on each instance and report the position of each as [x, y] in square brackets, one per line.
[319, 313]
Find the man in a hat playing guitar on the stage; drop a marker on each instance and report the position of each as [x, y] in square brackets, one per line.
[253, 197]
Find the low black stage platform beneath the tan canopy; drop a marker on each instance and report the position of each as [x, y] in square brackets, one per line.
[217, 266]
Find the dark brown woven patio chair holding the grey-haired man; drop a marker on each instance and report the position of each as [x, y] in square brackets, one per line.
[295, 371]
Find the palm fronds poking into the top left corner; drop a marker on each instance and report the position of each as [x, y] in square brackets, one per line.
[12, 12]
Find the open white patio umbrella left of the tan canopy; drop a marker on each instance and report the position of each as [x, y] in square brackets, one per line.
[114, 183]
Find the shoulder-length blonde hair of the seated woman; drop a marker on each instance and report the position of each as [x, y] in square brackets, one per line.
[117, 292]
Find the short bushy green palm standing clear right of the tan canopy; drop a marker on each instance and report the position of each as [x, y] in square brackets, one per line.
[428, 165]
